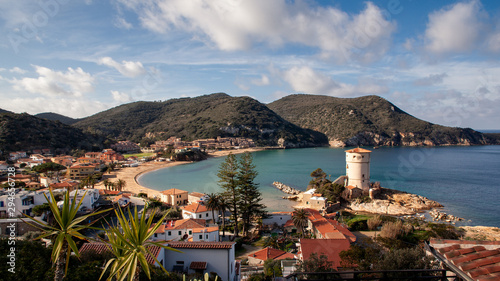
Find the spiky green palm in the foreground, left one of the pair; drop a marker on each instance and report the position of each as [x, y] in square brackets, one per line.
[67, 227]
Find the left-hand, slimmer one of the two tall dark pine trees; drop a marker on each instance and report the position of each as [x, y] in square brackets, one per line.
[227, 174]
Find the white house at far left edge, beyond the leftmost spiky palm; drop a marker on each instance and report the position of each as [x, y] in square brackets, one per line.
[23, 201]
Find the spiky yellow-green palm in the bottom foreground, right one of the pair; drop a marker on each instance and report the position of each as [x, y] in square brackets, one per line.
[131, 246]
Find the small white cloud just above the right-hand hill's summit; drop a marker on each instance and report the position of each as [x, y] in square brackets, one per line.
[306, 80]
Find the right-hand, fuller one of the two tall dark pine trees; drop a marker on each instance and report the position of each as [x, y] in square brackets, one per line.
[250, 195]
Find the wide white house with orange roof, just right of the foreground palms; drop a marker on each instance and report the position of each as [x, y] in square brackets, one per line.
[187, 230]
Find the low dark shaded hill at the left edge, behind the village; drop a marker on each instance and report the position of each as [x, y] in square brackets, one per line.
[26, 132]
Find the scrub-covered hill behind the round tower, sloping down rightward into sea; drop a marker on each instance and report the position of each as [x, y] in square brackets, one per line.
[369, 120]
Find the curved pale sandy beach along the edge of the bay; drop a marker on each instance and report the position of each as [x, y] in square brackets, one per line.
[130, 174]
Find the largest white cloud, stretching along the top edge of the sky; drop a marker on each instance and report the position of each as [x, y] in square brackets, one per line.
[238, 25]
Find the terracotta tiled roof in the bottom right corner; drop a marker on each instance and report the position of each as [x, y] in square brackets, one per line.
[468, 260]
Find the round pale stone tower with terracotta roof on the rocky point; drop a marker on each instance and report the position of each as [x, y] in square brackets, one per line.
[358, 168]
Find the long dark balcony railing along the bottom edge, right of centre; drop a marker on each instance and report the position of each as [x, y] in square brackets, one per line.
[384, 275]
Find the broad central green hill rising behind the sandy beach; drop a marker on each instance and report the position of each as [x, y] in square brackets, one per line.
[201, 117]
